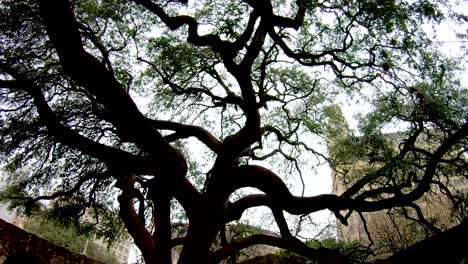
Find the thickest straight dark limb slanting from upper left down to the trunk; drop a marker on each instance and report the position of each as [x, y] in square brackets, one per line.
[90, 73]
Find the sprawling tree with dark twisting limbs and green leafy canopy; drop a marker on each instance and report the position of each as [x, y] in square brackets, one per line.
[172, 106]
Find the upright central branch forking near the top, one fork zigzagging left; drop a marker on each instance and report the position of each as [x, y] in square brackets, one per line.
[245, 137]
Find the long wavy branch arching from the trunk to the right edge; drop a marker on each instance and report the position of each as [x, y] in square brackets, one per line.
[277, 194]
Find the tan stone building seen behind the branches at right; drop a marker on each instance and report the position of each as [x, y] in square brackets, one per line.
[395, 229]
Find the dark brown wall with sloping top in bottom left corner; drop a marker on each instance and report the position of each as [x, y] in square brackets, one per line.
[17, 244]
